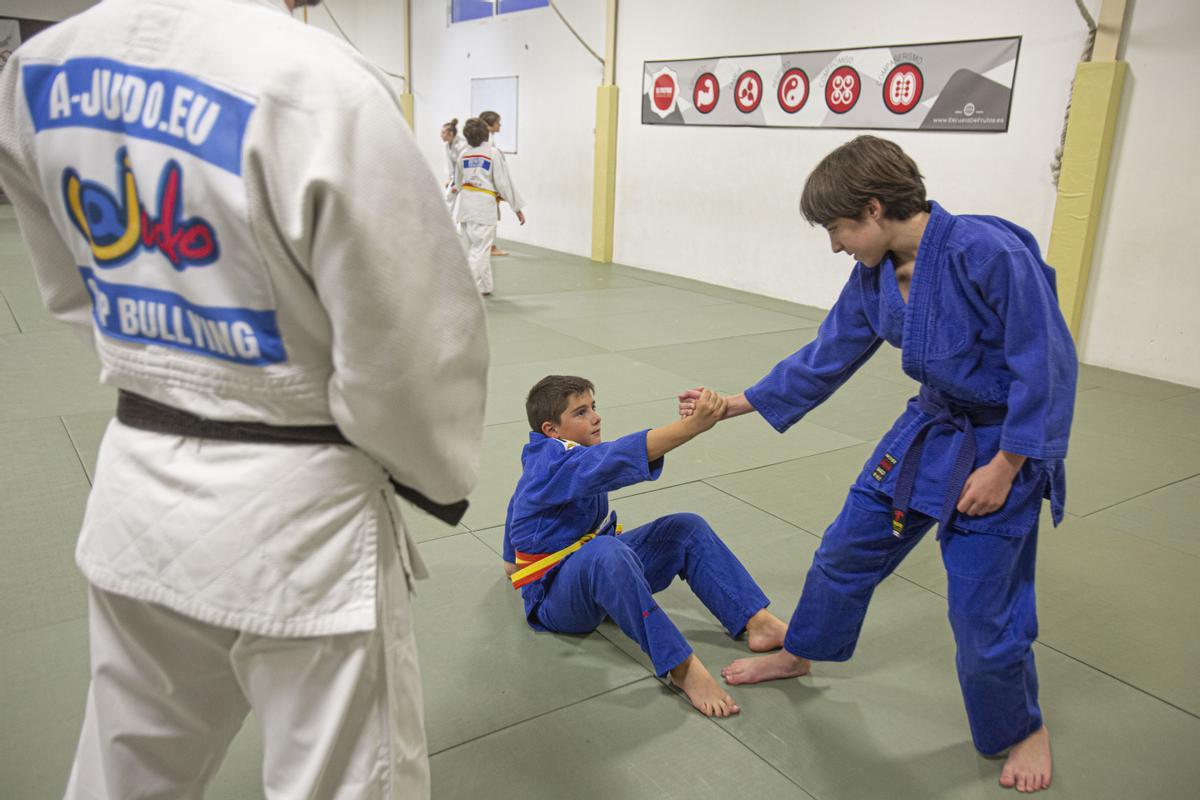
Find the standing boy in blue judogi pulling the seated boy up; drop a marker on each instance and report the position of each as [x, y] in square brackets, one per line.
[974, 309]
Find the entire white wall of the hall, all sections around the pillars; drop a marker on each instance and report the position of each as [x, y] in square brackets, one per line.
[721, 204]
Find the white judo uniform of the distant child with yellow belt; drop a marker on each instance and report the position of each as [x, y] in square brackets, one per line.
[482, 177]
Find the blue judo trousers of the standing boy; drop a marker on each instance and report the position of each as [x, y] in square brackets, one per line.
[992, 609]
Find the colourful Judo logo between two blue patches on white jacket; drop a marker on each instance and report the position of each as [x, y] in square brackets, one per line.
[117, 228]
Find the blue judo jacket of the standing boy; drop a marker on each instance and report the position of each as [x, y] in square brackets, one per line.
[982, 330]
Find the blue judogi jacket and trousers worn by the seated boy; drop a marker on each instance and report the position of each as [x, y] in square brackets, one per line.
[562, 495]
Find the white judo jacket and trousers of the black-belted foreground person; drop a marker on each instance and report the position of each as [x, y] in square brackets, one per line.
[214, 197]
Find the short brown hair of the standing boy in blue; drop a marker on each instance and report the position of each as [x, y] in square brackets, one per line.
[866, 167]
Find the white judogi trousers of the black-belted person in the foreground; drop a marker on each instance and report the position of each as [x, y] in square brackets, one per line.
[341, 717]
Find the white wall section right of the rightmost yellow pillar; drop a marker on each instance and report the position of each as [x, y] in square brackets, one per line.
[1143, 306]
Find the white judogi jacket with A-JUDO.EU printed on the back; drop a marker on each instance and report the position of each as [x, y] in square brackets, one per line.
[231, 207]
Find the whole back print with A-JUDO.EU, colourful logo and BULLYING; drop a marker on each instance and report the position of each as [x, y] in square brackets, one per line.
[129, 142]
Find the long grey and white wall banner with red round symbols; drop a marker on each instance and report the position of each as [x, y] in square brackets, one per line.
[934, 87]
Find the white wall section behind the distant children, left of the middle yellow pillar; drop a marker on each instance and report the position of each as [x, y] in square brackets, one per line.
[556, 105]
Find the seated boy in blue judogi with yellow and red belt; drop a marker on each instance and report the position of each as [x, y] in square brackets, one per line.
[574, 567]
